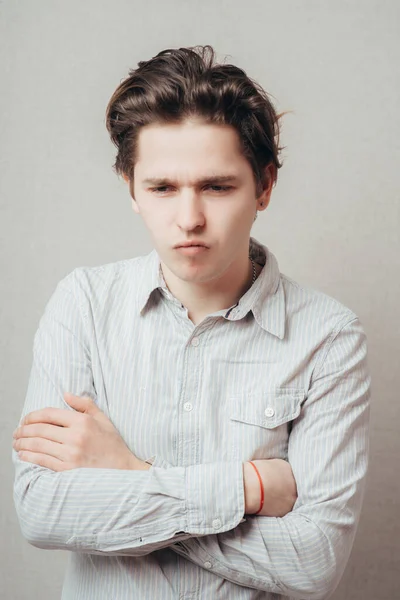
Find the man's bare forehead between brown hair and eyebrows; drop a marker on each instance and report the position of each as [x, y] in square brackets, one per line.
[191, 147]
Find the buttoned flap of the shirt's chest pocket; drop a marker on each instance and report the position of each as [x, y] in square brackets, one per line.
[268, 409]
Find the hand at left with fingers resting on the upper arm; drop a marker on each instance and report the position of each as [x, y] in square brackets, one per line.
[60, 439]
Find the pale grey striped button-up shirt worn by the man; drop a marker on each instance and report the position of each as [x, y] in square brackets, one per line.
[282, 374]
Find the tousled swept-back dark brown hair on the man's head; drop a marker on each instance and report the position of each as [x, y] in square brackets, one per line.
[187, 82]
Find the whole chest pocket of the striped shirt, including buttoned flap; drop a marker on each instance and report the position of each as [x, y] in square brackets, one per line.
[260, 423]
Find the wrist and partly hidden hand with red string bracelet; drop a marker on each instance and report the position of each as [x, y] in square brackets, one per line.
[280, 491]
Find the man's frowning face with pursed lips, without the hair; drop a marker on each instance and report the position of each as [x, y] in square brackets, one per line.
[193, 185]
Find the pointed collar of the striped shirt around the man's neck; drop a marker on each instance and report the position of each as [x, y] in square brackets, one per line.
[265, 299]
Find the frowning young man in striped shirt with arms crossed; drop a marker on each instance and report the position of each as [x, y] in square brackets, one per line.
[201, 379]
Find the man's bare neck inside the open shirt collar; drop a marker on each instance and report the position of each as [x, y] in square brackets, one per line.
[202, 299]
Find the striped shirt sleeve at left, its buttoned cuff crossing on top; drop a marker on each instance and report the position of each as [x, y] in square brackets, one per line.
[109, 511]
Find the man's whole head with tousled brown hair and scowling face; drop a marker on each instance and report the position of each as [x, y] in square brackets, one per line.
[182, 125]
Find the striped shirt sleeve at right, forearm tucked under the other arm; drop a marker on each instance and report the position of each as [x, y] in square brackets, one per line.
[303, 554]
